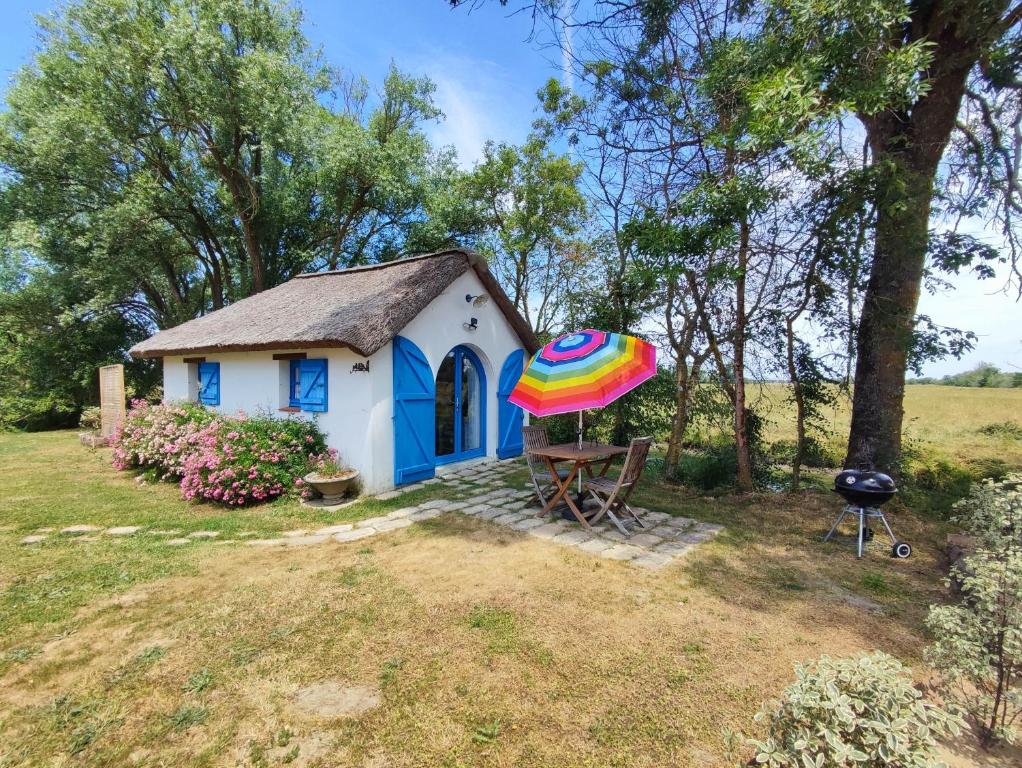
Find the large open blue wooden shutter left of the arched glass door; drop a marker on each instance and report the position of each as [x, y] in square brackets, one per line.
[414, 396]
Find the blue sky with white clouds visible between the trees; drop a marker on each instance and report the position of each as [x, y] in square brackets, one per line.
[488, 72]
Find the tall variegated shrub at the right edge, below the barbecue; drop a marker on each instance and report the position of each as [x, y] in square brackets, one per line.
[978, 649]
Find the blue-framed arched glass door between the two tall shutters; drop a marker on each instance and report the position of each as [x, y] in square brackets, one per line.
[461, 408]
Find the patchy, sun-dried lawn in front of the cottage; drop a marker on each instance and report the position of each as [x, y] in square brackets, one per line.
[482, 647]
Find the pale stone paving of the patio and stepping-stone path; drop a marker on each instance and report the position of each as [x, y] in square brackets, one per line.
[480, 491]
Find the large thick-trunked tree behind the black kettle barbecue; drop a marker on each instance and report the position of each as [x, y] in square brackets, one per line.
[903, 70]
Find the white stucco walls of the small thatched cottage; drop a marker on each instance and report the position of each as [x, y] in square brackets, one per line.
[359, 422]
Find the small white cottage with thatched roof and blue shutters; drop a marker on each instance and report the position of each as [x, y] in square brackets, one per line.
[405, 366]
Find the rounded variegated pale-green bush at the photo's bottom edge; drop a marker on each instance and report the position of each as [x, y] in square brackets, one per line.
[862, 711]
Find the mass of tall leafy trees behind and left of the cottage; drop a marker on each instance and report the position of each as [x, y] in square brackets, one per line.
[160, 160]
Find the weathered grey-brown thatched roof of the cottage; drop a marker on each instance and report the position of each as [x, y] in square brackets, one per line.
[361, 308]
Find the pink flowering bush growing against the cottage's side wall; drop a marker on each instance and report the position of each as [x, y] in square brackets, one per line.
[234, 461]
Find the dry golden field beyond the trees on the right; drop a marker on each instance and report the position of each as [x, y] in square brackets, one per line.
[949, 421]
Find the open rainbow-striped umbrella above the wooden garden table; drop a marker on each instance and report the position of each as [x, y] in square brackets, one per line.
[587, 370]
